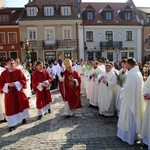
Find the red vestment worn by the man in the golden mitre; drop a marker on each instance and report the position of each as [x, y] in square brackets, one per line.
[70, 92]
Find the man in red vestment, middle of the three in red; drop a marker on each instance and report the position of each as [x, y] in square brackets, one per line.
[41, 83]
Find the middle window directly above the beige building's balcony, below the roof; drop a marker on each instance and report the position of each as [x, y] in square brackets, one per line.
[49, 33]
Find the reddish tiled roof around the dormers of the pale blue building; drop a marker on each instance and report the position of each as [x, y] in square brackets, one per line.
[117, 8]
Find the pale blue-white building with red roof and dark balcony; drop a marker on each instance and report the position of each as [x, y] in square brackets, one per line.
[110, 30]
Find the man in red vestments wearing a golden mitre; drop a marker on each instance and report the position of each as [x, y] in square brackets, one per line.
[70, 88]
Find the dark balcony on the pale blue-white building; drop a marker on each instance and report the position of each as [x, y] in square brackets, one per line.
[111, 45]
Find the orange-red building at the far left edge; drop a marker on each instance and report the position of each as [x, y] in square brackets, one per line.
[9, 33]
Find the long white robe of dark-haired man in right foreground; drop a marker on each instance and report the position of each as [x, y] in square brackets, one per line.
[132, 107]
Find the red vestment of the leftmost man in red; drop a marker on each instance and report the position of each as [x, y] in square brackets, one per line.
[15, 101]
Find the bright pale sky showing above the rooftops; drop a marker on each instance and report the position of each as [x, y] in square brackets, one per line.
[21, 3]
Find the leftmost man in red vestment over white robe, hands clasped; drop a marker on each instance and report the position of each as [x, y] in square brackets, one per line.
[13, 83]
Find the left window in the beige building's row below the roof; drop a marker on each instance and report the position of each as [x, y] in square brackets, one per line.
[32, 34]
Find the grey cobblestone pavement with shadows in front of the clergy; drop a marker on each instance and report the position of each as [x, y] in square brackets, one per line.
[85, 131]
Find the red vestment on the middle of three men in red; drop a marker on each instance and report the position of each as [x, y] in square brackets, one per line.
[43, 98]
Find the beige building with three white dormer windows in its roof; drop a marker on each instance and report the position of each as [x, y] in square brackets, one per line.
[51, 28]
